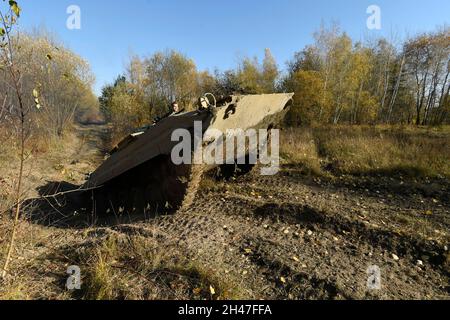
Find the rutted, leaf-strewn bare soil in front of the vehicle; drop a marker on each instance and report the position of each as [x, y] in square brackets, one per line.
[319, 253]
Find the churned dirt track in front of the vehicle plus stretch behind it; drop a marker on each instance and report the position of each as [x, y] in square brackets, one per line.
[291, 237]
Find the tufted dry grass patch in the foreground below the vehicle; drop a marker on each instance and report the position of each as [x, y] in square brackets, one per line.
[139, 268]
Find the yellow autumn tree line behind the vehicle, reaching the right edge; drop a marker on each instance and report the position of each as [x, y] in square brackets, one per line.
[336, 81]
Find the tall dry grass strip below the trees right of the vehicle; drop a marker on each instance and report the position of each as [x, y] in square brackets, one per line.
[363, 150]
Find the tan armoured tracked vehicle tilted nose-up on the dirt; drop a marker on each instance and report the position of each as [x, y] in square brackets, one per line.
[139, 174]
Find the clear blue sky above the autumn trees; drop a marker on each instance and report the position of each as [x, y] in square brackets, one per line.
[215, 33]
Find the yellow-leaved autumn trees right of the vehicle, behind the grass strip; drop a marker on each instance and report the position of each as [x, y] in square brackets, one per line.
[338, 81]
